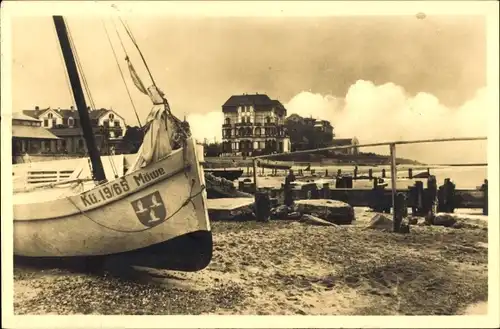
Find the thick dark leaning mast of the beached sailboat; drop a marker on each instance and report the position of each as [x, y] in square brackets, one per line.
[76, 86]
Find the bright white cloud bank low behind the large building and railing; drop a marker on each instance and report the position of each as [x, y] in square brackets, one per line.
[385, 113]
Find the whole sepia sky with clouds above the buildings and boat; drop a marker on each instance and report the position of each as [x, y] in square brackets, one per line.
[376, 78]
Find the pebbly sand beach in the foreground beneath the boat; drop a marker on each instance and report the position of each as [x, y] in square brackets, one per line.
[287, 267]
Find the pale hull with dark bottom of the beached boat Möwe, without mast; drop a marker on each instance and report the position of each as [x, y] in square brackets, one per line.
[142, 213]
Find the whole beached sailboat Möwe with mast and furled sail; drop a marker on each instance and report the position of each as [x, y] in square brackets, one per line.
[155, 214]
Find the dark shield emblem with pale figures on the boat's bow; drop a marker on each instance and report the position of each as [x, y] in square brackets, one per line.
[150, 209]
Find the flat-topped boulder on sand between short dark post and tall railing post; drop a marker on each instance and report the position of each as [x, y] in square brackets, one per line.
[333, 211]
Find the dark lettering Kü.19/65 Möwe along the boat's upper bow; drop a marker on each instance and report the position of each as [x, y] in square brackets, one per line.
[118, 188]
